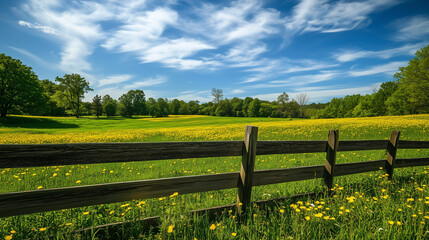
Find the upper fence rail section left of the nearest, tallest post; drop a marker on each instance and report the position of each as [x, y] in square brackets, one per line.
[36, 155]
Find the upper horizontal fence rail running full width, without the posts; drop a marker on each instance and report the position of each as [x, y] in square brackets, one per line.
[43, 155]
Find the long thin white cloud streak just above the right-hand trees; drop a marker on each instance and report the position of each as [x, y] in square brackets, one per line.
[350, 55]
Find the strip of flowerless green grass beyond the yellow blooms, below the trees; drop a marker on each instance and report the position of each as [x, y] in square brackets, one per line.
[72, 124]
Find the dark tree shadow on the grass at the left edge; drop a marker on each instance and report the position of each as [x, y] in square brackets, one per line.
[34, 122]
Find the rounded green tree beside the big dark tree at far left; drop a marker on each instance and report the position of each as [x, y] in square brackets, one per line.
[71, 91]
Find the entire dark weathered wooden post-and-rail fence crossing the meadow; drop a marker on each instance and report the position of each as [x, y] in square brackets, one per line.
[38, 155]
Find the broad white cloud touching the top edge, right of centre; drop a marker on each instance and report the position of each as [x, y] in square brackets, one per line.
[328, 17]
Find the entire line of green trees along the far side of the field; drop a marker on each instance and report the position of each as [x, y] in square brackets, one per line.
[21, 92]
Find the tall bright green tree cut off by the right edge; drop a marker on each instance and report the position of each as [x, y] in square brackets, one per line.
[414, 81]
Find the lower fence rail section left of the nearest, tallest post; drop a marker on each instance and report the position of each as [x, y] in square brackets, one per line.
[61, 198]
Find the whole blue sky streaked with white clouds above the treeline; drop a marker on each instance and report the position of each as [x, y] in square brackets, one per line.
[183, 49]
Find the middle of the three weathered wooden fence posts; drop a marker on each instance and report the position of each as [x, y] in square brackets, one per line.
[331, 155]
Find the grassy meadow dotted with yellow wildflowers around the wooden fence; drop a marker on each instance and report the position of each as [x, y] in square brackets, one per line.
[364, 205]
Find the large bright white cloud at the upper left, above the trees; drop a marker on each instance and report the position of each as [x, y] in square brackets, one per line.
[76, 28]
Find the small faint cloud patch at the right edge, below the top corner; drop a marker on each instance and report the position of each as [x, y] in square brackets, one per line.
[414, 28]
